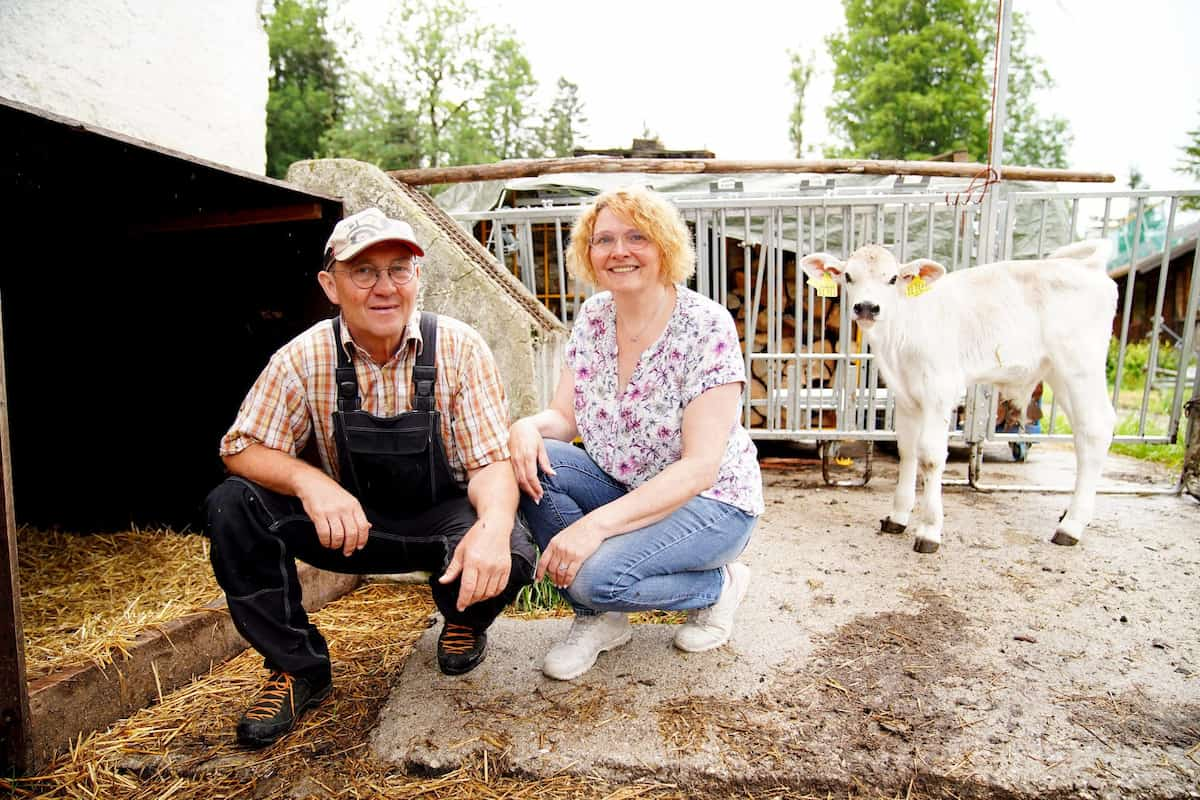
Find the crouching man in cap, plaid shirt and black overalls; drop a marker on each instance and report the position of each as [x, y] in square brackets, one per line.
[410, 420]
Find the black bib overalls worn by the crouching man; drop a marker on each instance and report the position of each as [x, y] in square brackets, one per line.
[398, 470]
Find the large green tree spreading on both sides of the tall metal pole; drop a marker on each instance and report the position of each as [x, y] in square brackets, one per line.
[914, 80]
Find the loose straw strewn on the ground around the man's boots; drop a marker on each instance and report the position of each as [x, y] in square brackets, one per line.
[185, 749]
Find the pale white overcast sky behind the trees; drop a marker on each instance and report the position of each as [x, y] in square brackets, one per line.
[715, 75]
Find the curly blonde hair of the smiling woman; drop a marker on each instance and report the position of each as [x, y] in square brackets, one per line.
[650, 213]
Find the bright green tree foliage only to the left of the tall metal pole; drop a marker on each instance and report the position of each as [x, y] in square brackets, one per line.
[909, 79]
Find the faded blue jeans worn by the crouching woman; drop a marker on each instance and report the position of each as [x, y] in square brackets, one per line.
[674, 564]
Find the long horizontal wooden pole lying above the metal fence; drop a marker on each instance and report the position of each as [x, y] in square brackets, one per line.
[535, 167]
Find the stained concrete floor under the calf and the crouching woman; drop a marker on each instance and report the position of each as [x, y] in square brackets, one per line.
[1001, 666]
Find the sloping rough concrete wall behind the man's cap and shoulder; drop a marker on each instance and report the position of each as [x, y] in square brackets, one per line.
[459, 278]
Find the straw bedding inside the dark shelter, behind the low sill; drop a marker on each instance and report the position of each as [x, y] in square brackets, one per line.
[85, 599]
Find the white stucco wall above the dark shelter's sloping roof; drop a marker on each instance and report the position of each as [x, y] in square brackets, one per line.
[184, 75]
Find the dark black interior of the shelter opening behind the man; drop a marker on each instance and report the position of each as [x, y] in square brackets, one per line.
[142, 293]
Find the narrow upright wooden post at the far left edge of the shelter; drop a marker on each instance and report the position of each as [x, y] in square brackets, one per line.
[15, 723]
